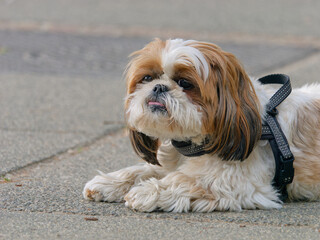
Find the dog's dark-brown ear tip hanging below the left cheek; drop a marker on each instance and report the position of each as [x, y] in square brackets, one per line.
[145, 146]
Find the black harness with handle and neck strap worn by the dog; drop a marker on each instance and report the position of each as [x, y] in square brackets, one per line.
[271, 131]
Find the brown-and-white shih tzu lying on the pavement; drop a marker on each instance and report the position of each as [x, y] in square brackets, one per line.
[191, 91]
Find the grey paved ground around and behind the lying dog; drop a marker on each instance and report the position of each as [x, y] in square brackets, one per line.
[61, 109]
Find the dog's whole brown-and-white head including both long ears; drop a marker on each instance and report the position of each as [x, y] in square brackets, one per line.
[190, 90]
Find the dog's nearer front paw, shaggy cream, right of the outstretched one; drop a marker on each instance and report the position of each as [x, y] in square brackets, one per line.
[144, 197]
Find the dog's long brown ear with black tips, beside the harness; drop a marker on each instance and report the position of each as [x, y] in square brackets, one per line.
[232, 119]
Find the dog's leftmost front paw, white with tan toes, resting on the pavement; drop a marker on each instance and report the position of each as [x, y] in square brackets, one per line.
[106, 188]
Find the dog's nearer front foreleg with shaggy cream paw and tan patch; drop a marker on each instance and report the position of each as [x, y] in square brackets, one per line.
[175, 193]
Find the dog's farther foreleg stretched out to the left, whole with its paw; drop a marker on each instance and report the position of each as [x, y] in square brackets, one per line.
[113, 186]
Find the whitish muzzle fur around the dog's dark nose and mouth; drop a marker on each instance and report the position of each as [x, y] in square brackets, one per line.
[180, 109]
